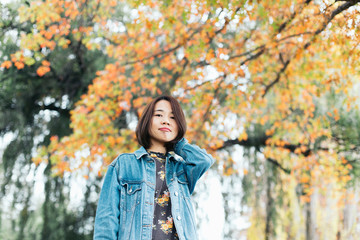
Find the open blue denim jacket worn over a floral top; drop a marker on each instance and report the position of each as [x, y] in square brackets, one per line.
[126, 204]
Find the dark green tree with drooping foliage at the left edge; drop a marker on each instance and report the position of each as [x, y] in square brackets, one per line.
[33, 108]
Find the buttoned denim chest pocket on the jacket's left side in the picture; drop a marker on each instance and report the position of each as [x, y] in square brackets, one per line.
[130, 195]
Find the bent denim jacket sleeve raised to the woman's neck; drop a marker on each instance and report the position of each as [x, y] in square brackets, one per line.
[197, 161]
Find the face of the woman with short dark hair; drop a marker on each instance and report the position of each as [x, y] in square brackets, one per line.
[163, 127]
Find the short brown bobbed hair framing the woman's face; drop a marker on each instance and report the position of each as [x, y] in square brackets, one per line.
[144, 124]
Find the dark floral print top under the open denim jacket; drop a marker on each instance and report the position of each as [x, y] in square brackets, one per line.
[163, 224]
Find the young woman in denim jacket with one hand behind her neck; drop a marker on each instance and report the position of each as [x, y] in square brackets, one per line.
[146, 194]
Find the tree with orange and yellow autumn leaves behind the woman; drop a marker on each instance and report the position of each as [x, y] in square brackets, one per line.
[249, 73]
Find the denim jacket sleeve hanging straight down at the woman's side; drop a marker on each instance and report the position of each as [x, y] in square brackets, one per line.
[108, 212]
